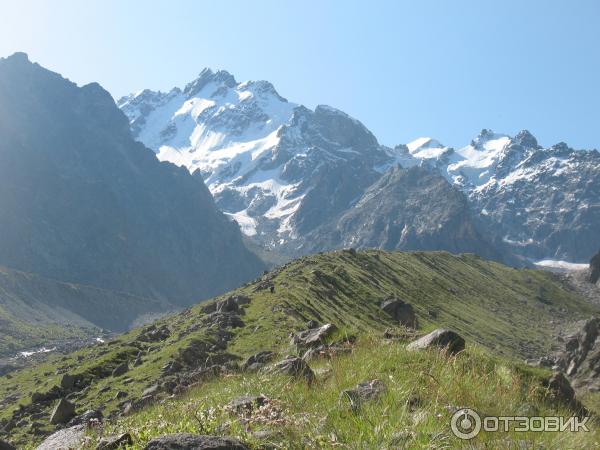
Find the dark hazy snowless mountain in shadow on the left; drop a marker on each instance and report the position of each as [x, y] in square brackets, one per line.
[83, 202]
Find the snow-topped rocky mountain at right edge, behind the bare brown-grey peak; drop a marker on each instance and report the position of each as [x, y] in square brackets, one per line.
[543, 203]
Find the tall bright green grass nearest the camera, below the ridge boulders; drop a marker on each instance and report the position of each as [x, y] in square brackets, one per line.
[413, 413]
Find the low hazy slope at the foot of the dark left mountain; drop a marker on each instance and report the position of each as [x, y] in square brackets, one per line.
[37, 311]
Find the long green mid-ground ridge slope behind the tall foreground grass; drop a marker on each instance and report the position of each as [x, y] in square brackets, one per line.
[514, 313]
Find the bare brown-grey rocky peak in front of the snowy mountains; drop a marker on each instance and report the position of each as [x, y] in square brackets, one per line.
[406, 209]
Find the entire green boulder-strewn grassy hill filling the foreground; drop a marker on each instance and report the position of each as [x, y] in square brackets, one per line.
[508, 313]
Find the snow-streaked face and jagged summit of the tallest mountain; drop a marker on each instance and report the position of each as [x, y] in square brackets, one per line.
[258, 153]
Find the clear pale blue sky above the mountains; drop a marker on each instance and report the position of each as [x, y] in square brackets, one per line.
[444, 69]
